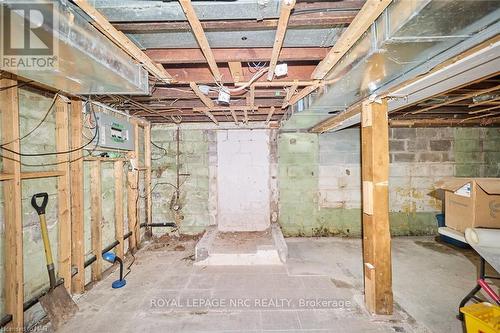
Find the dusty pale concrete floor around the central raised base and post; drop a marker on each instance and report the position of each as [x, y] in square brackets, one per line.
[166, 293]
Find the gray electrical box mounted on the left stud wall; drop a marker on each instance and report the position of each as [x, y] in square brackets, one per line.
[115, 133]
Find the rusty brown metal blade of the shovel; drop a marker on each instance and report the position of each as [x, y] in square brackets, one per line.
[58, 305]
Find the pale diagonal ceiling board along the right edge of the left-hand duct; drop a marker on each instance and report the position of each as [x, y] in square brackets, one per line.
[122, 41]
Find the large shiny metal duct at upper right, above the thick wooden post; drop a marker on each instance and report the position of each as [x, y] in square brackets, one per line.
[407, 40]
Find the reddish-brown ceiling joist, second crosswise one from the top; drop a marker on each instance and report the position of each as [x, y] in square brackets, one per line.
[227, 55]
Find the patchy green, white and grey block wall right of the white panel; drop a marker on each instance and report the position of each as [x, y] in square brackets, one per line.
[319, 178]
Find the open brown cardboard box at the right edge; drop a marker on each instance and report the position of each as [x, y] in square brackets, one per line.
[471, 202]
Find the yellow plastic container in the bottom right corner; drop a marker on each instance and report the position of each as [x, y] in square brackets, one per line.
[482, 317]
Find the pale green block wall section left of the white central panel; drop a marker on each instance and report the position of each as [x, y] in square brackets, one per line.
[196, 149]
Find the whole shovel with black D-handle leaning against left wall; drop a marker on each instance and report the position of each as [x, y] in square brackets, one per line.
[57, 303]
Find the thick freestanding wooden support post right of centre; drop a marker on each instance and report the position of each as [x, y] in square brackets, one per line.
[376, 233]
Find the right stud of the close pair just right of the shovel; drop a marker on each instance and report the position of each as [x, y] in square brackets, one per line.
[76, 194]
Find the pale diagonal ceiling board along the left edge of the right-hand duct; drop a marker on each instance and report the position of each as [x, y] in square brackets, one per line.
[365, 18]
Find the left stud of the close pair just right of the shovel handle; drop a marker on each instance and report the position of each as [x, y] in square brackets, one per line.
[63, 195]
